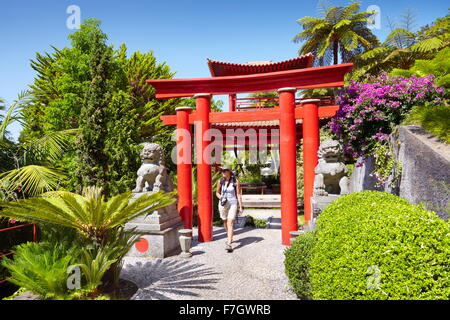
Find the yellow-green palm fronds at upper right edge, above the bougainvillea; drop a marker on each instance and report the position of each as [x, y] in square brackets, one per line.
[403, 47]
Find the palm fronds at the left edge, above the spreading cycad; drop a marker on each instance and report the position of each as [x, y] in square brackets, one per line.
[31, 159]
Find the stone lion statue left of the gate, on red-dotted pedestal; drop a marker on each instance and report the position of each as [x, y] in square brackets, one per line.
[152, 171]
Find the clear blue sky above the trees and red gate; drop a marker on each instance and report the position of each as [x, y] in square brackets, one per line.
[182, 33]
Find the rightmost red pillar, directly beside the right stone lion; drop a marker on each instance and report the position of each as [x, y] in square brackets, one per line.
[311, 140]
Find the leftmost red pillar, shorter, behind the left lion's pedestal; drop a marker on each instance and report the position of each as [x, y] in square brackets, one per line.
[184, 165]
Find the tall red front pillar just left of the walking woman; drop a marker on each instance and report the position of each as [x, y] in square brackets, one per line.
[204, 184]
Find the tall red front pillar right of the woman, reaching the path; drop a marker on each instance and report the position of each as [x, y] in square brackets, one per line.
[288, 164]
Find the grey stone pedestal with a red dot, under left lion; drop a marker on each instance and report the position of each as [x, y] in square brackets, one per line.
[160, 232]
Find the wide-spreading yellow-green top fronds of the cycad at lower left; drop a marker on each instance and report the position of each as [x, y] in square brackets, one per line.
[89, 214]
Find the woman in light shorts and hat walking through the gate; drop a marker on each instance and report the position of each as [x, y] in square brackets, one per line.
[228, 190]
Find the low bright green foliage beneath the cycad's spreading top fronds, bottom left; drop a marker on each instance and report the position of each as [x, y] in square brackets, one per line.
[44, 267]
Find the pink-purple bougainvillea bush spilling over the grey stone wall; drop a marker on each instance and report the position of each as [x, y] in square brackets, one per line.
[368, 112]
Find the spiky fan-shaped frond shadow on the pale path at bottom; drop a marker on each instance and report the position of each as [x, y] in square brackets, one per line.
[157, 279]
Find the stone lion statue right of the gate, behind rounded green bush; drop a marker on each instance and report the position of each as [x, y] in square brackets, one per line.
[331, 172]
